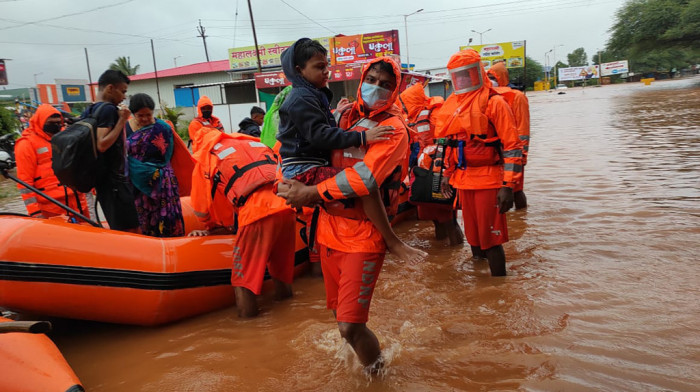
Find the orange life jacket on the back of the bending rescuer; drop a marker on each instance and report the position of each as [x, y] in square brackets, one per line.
[242, 170]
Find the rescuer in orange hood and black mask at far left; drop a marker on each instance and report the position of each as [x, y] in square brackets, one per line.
[33, 157]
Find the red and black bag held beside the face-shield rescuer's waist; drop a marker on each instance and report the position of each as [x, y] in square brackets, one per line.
[425, 182]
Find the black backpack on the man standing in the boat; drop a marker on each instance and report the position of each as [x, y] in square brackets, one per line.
[74, 153]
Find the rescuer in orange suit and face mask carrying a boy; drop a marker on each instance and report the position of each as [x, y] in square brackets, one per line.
[352, 249]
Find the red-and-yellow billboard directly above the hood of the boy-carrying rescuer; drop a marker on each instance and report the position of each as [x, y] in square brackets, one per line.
[362, 48]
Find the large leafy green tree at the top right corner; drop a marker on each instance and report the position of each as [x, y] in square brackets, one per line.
[656, 35]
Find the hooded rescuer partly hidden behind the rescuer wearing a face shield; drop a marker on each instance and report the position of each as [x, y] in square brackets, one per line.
[420, 112]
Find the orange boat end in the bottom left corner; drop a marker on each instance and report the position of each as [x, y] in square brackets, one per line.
[31, 362]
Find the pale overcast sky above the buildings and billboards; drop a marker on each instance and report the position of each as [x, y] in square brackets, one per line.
[45, 39]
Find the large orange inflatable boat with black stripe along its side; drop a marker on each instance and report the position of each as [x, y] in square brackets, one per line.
[54, 268]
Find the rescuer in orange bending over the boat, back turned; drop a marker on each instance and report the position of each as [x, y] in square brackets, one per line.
[232, 187]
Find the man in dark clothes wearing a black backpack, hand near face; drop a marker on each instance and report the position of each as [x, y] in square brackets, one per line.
[114, 191]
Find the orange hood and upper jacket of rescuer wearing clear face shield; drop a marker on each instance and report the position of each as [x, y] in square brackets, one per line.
[464, 113]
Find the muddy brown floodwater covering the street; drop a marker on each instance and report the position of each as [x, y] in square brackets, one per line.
[602, 292]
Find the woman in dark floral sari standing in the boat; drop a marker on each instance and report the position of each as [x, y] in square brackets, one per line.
[149, 150]
